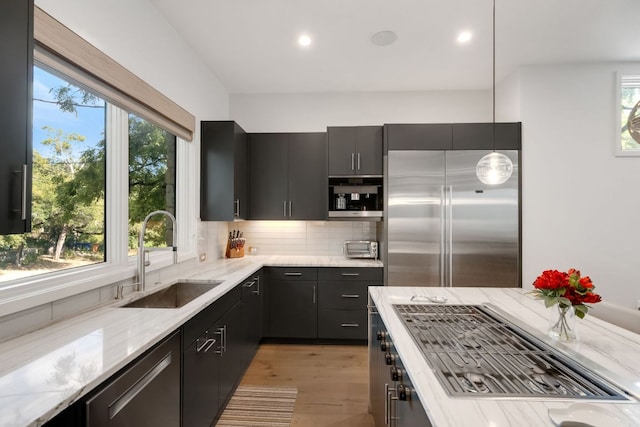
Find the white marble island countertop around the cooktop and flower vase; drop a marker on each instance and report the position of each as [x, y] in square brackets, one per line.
[611, 351]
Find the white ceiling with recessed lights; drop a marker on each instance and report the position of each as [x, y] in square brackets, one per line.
[251, 44]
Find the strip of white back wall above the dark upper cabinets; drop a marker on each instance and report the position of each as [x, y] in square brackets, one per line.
[313, 112]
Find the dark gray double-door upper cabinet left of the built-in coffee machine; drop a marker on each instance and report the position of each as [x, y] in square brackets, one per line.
[288, 176]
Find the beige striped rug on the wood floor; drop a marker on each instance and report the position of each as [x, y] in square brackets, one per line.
[259, 406]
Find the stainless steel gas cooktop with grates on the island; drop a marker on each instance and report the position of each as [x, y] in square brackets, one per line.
[475, 352]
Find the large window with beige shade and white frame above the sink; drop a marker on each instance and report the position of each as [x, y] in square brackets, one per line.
[135, 157]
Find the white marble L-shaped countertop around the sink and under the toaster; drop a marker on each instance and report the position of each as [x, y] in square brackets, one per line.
[43, 372]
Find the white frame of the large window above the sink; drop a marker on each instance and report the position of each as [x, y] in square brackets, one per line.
[23, 294]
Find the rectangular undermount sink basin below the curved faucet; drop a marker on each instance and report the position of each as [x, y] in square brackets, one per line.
[176, 295]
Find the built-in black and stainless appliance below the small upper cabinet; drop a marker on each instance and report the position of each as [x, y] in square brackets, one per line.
[355, 198]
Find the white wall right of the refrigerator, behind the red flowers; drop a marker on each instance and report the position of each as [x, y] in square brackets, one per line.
[581, 204]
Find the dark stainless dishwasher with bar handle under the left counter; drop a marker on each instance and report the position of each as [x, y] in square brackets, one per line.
[147, 393]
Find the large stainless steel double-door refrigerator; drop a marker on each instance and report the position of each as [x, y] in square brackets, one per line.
[443, 227]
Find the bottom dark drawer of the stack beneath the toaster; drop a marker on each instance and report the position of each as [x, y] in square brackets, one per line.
[342, 324]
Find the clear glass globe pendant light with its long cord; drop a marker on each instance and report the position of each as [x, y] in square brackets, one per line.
[494, 168]
